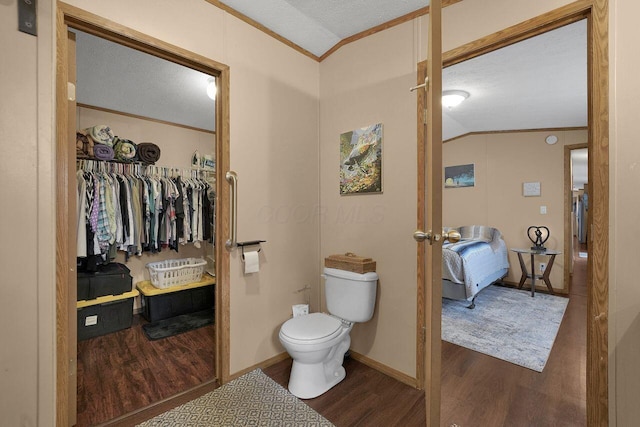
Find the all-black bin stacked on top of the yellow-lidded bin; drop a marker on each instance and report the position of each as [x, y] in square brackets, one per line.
[110, 279]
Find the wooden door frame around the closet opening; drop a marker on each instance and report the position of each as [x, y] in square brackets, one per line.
[69, 18]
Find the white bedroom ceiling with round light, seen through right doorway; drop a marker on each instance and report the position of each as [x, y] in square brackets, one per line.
[537, 83]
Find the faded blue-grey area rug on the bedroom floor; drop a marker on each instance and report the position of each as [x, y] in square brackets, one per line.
[507, 324]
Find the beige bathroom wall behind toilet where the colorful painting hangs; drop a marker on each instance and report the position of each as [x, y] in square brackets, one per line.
[365, 83]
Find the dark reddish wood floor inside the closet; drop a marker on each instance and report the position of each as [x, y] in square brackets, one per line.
[122, 372]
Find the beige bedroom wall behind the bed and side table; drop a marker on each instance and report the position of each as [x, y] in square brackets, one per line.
[503, 162]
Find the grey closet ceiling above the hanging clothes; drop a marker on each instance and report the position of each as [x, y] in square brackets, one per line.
[119, 78]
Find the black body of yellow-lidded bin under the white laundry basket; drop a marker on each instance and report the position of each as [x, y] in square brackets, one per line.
[166, 305]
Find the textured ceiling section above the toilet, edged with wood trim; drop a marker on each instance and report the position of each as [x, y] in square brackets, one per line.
[317, 26]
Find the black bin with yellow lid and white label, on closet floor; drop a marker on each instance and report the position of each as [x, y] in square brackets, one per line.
[105, 315]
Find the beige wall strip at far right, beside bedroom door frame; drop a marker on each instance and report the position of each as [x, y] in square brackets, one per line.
[624, 293]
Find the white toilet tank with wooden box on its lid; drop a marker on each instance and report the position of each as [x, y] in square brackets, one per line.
[350, 296]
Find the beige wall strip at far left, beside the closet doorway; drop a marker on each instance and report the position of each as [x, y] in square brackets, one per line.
[26, 212]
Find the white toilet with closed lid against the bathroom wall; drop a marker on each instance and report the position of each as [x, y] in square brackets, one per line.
[317, 342]
